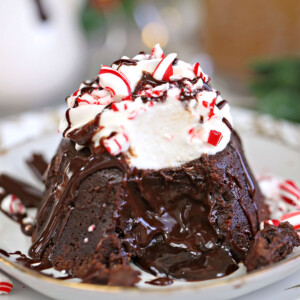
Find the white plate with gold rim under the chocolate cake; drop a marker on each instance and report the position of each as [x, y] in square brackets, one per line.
[270, 147]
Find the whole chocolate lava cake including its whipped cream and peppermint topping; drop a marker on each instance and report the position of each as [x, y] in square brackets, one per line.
[150, 172]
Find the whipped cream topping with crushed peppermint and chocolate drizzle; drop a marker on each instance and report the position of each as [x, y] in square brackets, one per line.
[155, 111]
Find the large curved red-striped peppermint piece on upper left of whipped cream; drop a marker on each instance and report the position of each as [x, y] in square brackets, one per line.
[115, 82]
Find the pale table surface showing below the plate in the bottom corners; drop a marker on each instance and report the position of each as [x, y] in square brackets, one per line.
[277, 291]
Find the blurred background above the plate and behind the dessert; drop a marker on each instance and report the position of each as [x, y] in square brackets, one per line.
[251, 49]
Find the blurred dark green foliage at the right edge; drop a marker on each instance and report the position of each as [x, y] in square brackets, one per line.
[277, 86]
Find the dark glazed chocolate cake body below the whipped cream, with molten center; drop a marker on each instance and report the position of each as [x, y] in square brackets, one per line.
[193, 222]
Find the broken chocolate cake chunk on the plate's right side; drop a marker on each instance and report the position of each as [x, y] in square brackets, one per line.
[271, 245]
